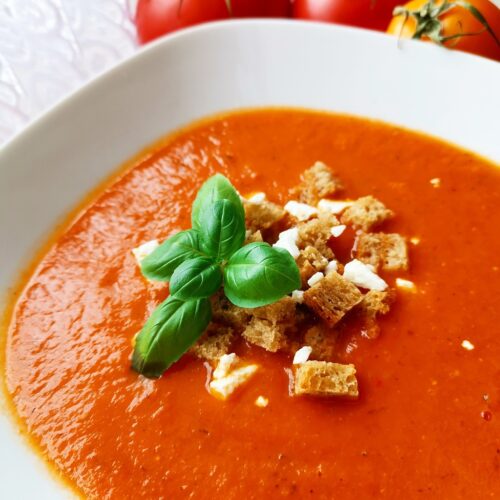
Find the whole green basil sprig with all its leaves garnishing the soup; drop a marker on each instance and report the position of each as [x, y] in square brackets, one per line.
[197, 262]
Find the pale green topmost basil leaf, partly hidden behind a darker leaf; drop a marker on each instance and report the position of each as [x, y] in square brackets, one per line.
[216, 188]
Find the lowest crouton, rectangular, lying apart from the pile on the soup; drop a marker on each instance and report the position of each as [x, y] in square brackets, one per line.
[321, 378]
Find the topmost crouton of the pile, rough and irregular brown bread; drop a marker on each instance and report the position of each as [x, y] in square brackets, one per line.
[318, 182]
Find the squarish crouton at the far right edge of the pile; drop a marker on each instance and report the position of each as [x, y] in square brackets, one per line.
[385, 251]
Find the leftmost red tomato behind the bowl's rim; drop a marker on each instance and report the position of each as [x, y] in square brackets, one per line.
[155, 18]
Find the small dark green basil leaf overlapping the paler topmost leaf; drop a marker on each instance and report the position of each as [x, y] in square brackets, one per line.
[222, 230]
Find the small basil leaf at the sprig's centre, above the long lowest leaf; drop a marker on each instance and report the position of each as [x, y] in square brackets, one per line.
[196, 279]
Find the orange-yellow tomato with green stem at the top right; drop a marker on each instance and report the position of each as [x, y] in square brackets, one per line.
[472, 25]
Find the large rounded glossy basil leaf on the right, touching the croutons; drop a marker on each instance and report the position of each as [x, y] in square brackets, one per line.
[258, 274]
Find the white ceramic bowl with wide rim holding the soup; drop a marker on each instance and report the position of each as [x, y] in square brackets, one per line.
[50, 166]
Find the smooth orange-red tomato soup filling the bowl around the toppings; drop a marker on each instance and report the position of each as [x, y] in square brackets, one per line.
[427, 424]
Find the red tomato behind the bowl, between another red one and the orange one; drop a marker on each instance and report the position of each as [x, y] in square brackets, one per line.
[373, 14]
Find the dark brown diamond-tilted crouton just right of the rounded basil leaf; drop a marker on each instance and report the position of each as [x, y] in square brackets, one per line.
[332, 297]
